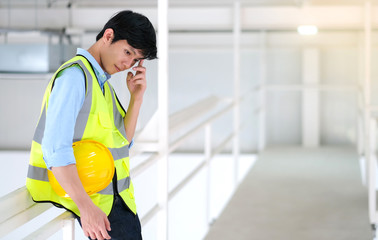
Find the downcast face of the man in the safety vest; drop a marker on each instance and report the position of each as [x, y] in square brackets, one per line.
[119, 56]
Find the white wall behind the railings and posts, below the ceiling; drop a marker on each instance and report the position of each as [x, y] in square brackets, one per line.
[201, 65]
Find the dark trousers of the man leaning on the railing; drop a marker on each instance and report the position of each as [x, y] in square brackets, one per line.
[125, 225]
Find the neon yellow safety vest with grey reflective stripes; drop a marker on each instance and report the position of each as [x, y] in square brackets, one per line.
[100, 119]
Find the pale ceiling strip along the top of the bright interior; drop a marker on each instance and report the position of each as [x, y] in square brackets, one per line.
[24, 15]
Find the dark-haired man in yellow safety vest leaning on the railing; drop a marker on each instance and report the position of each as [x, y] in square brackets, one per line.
[79, 104]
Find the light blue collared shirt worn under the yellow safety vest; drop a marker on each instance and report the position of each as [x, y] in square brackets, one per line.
[65, 102]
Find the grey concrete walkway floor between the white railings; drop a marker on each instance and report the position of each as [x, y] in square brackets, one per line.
[298, 194]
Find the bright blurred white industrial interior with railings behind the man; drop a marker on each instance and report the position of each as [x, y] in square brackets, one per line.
[259, 119]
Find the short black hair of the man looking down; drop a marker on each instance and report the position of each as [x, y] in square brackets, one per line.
[136, 29]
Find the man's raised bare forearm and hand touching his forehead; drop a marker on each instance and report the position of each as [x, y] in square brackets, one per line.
[137, 86]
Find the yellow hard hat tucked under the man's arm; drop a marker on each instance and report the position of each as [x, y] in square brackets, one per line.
[95, 166]
